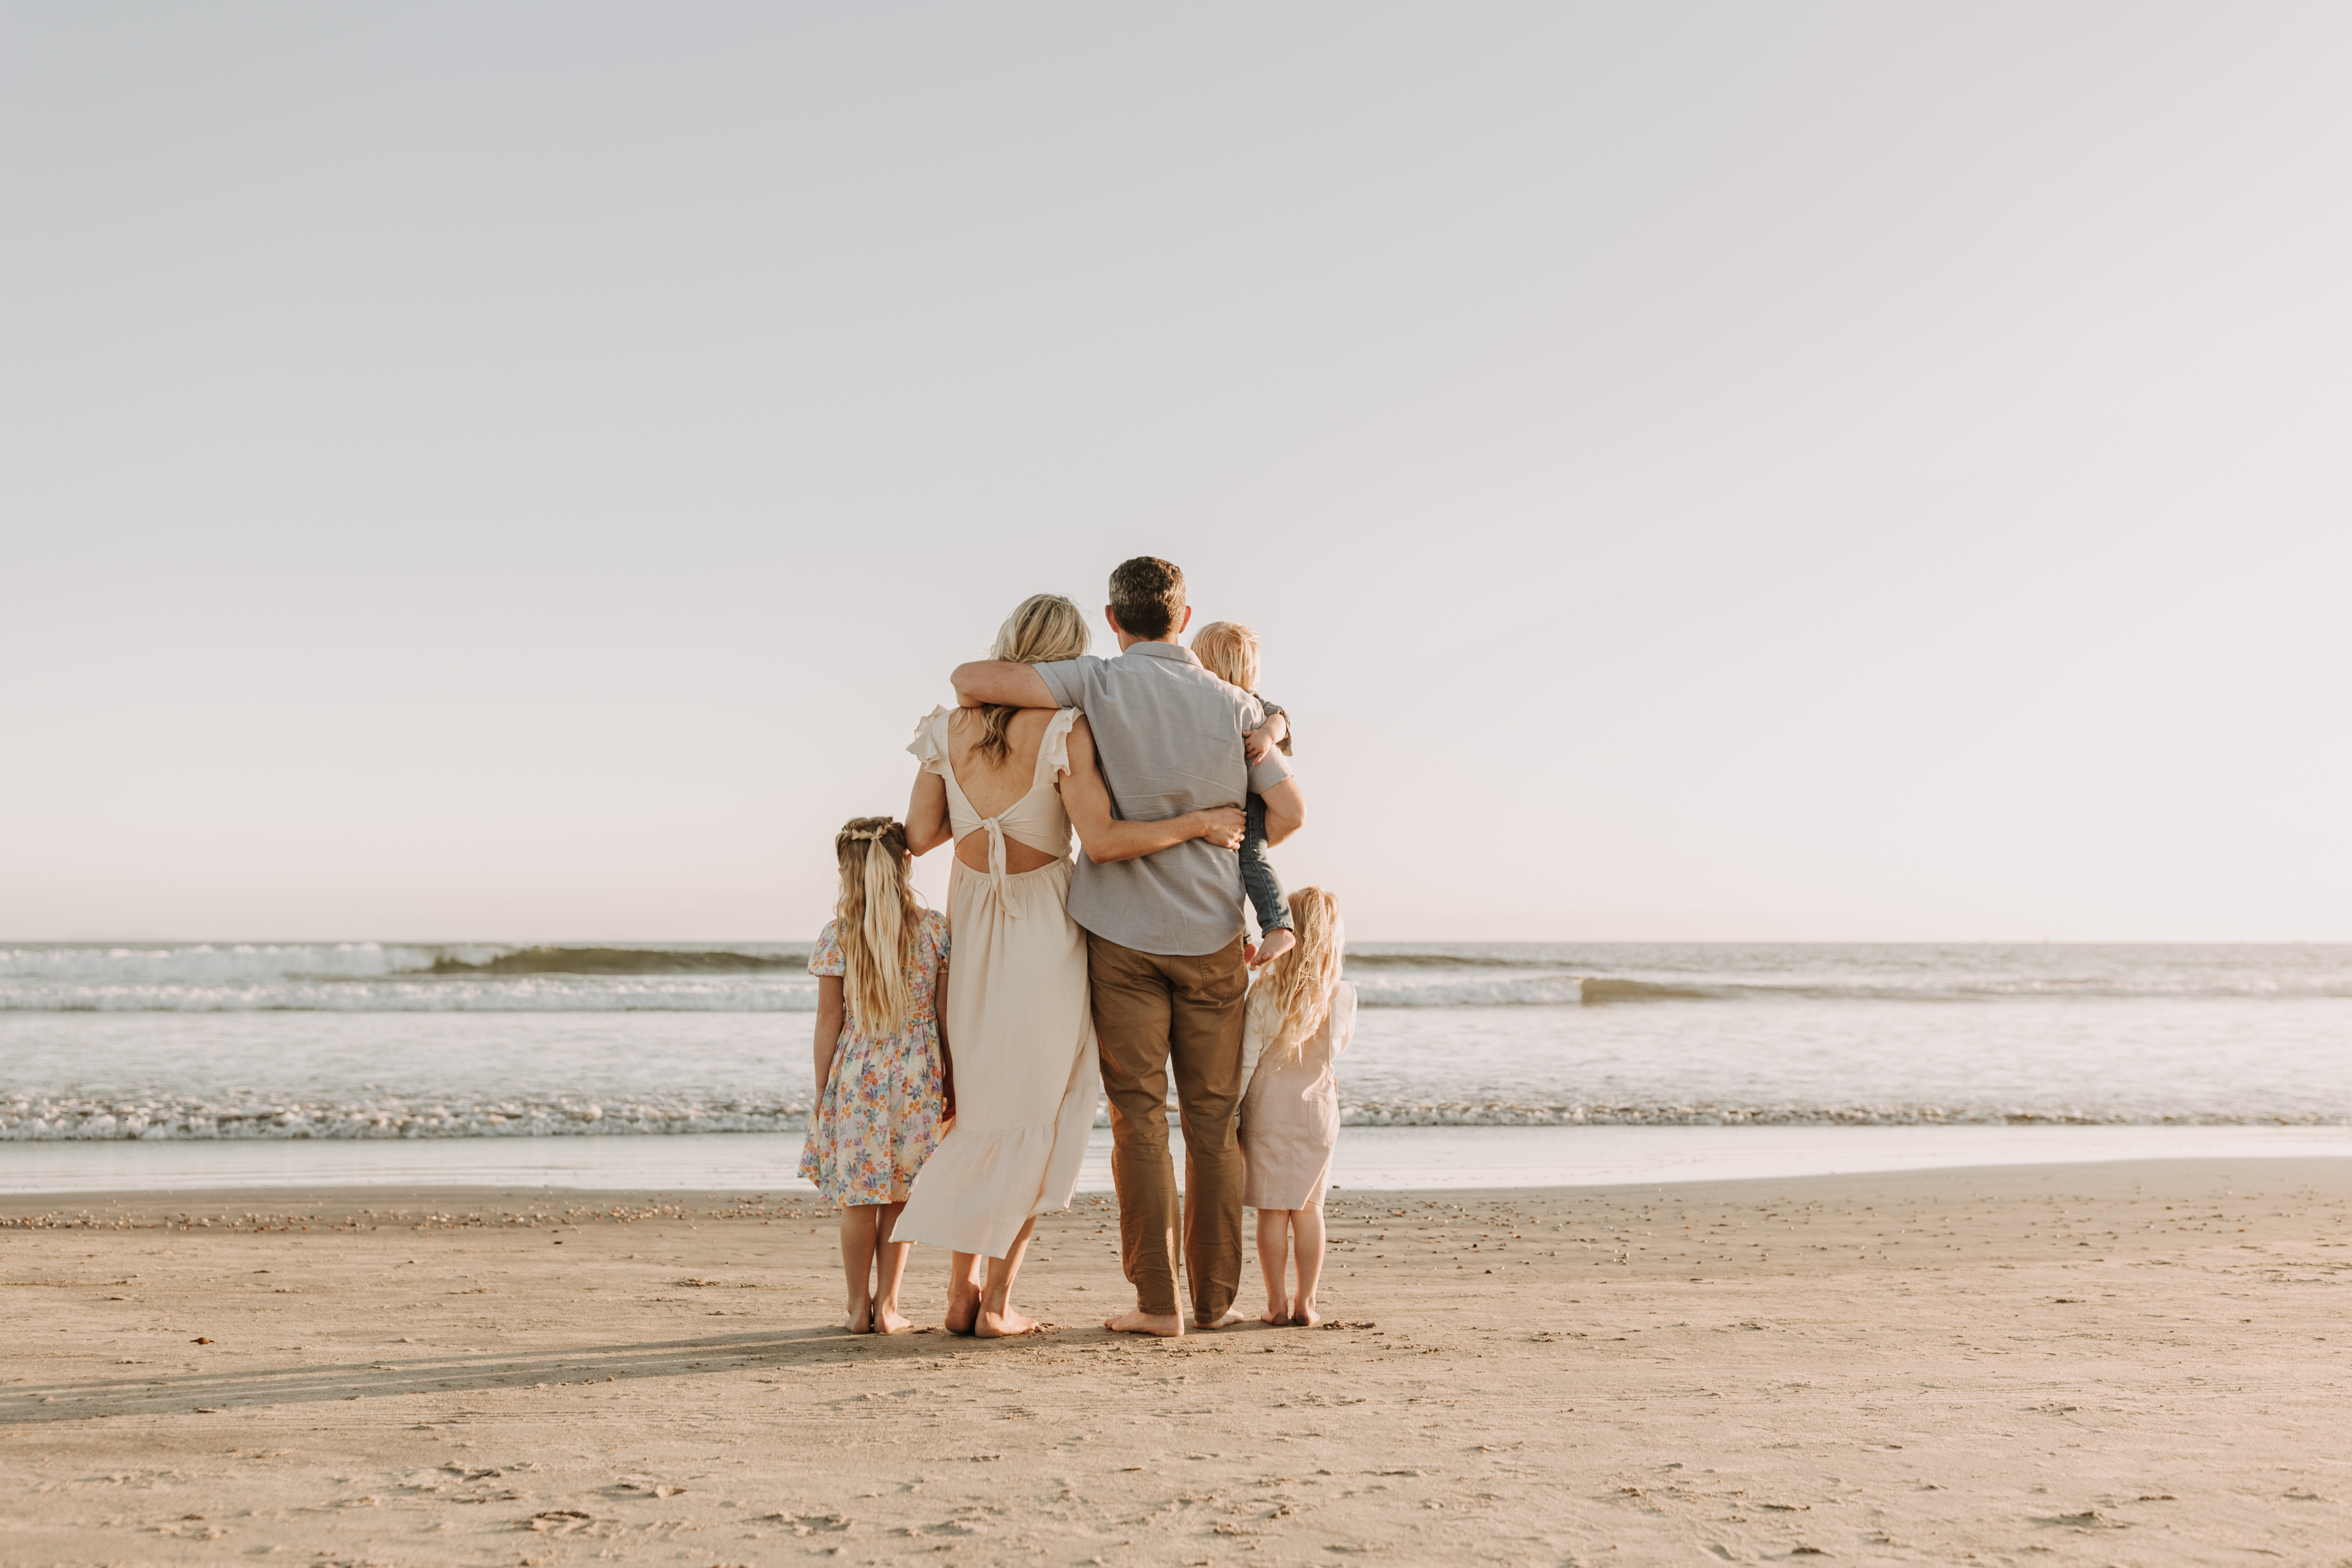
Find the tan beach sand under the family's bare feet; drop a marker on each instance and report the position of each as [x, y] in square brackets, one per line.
[2036, 1365]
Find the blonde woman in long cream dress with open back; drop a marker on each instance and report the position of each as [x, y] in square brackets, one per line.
[1024, 1078]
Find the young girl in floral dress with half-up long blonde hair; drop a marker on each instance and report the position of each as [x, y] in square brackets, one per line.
[881, 1059]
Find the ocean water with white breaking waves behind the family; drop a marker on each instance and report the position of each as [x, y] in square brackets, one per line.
[222, 1043]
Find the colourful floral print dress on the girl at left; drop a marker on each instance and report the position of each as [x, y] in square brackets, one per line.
[881, 1108]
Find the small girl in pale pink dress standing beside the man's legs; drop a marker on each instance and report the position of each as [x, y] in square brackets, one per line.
[1299, 1019]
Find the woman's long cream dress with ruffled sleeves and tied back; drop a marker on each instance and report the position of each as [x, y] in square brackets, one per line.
[1020, 1024]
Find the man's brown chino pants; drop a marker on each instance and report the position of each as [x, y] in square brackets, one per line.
[1156, 1014]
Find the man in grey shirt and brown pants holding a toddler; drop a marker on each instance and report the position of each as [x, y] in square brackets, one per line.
[1165, 939]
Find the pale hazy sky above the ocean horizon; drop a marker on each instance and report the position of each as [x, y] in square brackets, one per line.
[1699, 474]
